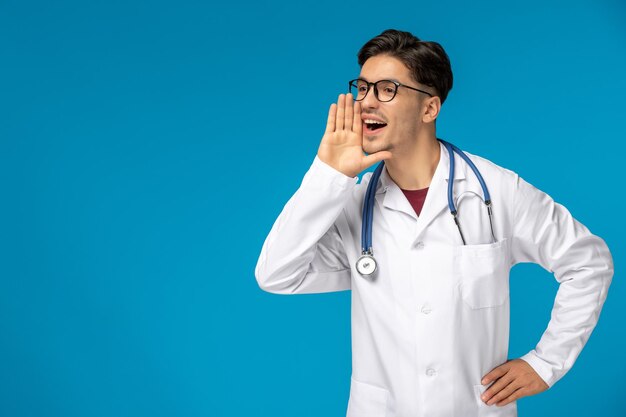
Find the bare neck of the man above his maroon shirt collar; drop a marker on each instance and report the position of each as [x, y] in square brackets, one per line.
[413, 168]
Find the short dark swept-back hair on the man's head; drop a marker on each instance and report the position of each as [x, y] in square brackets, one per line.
[428, 62]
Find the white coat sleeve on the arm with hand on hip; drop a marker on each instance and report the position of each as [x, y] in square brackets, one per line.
[545, 232]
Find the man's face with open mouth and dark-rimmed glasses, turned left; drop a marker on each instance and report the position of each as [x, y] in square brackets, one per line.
[403, 115]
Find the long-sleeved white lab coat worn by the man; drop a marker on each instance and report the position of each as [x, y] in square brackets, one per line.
[435, 318]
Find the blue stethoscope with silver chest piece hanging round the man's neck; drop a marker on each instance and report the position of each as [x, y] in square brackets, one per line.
[366, 264]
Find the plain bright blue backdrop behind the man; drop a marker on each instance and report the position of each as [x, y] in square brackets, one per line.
[146, 149]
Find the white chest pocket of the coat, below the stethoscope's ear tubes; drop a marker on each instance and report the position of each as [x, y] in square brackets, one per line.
[484, 274]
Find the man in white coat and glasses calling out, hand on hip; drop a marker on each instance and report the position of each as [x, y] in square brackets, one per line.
[430, 326]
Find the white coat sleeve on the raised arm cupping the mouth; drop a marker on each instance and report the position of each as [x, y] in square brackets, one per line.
[304, 252]
